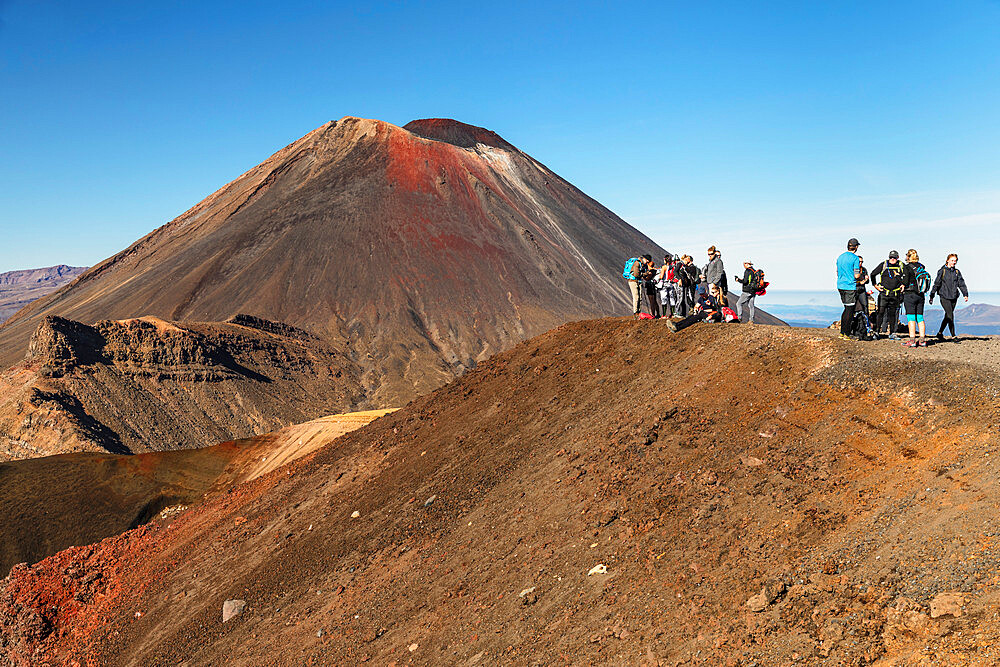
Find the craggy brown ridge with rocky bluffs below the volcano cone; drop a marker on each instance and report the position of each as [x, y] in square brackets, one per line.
[146, 384]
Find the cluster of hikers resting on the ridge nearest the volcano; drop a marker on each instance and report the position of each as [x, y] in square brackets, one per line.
[680, 289]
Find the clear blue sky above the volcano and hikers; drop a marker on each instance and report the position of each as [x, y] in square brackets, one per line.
[773, 130]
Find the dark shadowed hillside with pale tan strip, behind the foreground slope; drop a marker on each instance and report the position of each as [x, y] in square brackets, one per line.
[90, 496]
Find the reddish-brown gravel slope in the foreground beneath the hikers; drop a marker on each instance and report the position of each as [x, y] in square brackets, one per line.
[853, 482]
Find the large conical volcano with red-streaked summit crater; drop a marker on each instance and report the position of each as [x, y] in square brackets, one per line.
[429, 247]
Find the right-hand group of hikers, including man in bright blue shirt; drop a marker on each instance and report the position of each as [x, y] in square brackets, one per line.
[898, 283]
